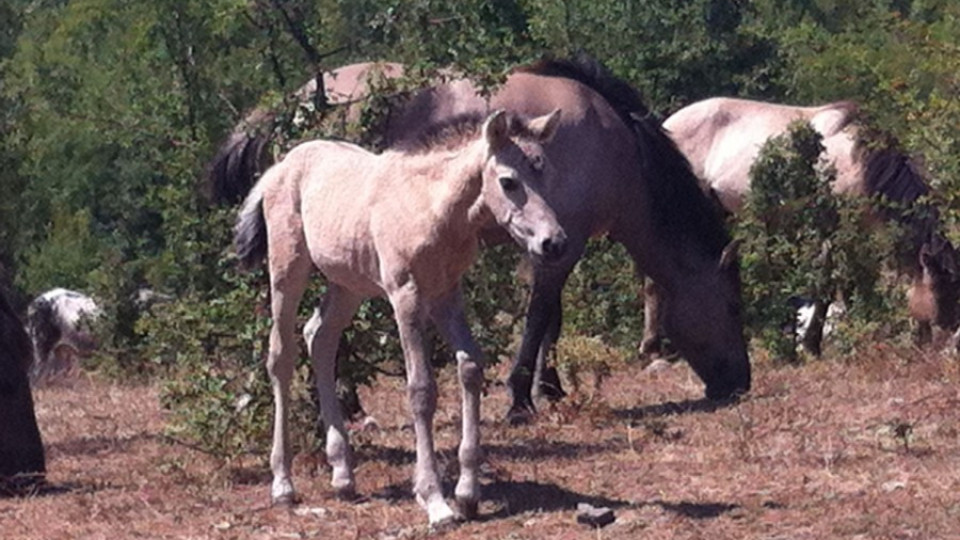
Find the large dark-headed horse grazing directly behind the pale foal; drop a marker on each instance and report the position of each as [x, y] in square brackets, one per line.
[617, 174]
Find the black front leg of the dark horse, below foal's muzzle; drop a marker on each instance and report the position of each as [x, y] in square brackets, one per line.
[545, 306]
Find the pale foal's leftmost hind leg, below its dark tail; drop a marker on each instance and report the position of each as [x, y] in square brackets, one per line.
[288, 280]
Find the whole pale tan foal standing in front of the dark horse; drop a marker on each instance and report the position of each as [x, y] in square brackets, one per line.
[404, 224]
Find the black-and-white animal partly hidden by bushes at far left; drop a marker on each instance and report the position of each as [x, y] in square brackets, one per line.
[59, 322]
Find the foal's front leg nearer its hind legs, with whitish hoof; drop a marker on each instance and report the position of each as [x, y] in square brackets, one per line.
[422, 393]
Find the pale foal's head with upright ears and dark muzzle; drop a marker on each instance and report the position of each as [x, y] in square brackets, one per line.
[515, 170]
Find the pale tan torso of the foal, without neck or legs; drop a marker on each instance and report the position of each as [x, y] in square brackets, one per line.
[365, 217]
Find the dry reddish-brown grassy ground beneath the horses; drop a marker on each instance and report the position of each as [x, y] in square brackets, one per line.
[863, 449]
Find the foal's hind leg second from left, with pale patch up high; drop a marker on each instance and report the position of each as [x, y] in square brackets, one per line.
[322, 334]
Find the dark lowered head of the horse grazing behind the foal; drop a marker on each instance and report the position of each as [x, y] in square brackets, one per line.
[703, 315]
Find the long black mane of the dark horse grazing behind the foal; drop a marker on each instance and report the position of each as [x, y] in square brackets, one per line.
[680, 207]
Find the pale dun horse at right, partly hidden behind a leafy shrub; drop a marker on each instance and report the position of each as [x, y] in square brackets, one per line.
[722, 137]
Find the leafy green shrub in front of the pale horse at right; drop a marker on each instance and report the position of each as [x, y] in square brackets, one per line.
[799, 238]
